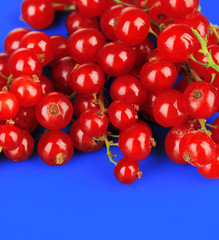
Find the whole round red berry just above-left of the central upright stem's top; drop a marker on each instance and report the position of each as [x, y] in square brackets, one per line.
[87, 79]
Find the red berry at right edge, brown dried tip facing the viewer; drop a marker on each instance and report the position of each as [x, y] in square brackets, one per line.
[200, 100]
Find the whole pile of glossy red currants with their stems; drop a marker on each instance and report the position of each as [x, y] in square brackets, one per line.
[108, 51]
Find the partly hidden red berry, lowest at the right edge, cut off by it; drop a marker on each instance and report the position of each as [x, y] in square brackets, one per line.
[211, 170]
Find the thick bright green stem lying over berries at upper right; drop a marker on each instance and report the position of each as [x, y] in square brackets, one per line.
[204, 50]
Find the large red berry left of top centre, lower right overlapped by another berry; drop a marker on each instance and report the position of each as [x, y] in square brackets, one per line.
[84, 45]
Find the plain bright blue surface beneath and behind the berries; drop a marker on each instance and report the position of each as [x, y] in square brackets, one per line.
[82, 200]
